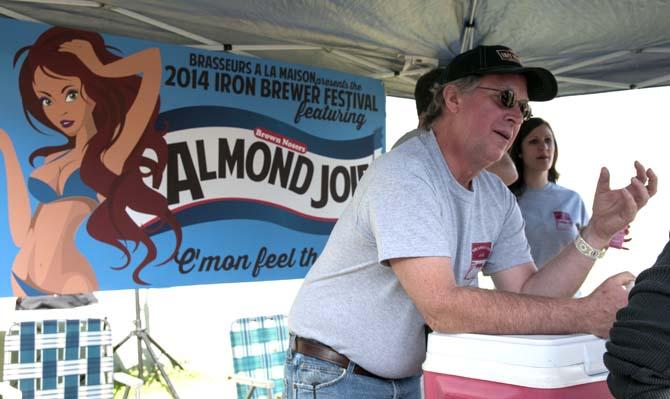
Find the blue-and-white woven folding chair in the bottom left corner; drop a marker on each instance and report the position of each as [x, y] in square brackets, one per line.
[63, 358]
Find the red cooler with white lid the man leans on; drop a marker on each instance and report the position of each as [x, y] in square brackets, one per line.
[473, 366]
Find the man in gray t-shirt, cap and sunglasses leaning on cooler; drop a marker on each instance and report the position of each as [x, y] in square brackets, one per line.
[425, 219]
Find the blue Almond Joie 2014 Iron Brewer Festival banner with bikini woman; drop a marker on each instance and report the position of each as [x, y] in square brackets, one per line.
[129, 164]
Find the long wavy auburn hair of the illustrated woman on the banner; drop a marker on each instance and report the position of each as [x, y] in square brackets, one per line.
[113, 97]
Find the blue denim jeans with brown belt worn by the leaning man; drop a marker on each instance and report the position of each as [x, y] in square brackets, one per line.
[307, 377]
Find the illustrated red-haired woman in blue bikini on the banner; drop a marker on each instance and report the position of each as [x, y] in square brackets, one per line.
[105, 106]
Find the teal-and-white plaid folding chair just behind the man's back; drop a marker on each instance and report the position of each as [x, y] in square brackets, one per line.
[259, 348]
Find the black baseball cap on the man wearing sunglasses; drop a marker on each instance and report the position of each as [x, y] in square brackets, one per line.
[489, 60]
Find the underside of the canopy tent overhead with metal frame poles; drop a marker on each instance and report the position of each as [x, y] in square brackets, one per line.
[590, 45]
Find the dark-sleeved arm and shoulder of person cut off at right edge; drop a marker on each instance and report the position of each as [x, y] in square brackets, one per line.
[638, 353]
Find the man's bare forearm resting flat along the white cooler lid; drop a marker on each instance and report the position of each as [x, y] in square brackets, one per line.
[474, 310]
